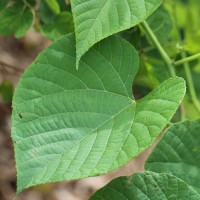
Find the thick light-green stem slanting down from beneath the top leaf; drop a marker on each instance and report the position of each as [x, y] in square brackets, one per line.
[162, 52]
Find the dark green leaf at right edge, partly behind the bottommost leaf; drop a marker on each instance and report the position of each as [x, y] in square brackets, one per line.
[178, 153]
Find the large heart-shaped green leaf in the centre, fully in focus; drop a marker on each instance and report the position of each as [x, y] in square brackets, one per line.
[69, 124]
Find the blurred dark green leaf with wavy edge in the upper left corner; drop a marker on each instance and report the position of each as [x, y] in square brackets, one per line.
[15, 20]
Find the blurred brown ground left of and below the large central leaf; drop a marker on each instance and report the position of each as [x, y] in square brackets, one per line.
[15, 56]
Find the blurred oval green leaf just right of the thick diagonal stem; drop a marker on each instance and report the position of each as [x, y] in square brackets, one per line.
[161, 24]
